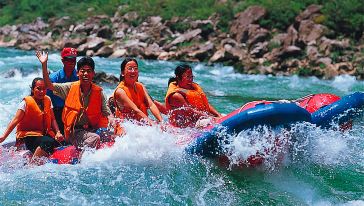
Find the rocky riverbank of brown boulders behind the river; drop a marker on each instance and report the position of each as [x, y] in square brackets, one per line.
[306, 48]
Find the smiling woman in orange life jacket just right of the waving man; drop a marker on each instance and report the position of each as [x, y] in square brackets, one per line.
[131, 98]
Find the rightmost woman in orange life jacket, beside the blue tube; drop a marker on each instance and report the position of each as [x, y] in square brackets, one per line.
[185, 100]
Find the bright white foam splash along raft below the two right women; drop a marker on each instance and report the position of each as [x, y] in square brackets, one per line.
[140, 144]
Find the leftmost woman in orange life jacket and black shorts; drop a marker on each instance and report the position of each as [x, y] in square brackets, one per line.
[35, 122]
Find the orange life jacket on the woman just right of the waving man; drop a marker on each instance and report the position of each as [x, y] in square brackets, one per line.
[137, 96]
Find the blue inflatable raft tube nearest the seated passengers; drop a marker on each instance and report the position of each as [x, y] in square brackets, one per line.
[271, 114]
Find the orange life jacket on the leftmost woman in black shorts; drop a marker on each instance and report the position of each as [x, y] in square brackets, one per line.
[35, 121]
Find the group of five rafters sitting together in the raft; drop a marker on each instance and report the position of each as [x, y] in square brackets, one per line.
[75, 108]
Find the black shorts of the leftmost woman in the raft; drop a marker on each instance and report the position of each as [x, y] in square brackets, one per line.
[46, 143]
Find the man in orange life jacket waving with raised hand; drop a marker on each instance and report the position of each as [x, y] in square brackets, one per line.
[85, 110]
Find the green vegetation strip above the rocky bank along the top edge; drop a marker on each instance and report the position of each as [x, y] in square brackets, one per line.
[345, 17]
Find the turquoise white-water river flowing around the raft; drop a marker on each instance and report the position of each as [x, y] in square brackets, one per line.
[147, 167]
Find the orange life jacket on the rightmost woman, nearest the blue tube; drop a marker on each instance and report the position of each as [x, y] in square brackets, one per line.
[196, 98]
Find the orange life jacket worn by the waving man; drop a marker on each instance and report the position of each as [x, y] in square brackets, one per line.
[73, 108]
